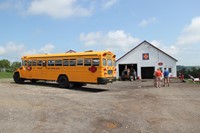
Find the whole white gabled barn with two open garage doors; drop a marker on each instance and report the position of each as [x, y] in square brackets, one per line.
[145, 59]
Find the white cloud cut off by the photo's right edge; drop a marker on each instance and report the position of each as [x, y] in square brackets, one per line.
[191, 33]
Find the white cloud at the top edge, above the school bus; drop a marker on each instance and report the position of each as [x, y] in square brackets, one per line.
[58, 8]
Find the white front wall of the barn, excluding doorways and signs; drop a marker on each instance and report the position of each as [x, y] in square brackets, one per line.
[155, 56]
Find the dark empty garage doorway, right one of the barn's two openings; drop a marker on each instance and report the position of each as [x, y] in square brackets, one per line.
[147, 72]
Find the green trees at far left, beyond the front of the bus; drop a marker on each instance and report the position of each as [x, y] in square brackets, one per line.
[6, 65]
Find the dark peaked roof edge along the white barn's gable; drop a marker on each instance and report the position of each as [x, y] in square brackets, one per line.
[150, 45]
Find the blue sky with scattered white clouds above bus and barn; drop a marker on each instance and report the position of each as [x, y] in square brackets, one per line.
[57, 26]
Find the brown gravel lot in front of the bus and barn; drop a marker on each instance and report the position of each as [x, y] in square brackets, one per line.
[120, 107]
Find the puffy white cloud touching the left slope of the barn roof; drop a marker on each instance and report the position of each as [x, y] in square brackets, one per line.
[117, 41]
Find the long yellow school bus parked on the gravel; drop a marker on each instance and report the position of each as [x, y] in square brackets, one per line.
[68, 68]
